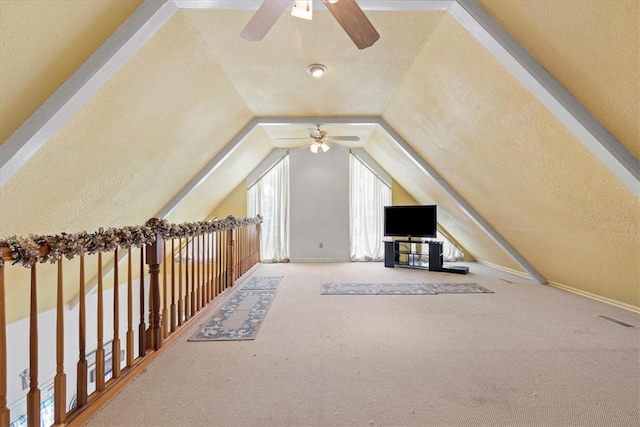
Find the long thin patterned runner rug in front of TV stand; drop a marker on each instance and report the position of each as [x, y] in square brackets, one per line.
[401, 288]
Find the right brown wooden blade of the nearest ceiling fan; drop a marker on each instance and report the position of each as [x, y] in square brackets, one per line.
[353, 20]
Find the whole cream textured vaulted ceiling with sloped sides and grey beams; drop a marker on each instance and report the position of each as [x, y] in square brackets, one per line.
[521, 120]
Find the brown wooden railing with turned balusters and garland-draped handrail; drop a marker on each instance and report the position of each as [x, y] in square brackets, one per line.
[189, 266]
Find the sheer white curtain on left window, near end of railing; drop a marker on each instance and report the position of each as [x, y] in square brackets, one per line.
[269, 197]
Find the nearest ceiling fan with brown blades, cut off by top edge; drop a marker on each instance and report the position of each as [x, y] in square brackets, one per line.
[347, 12]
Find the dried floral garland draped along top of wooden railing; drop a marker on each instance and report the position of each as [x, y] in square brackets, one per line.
[32, 249]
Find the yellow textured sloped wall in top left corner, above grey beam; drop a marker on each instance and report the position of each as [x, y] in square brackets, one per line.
[38, 54]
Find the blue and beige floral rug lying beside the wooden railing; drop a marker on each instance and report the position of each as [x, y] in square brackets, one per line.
[238, 319]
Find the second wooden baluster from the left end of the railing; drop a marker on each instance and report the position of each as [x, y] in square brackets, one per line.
[33, 396]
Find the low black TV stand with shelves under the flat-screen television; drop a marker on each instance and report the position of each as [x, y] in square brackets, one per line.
[426, 255]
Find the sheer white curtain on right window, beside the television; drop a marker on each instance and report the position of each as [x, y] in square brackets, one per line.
[368, 197]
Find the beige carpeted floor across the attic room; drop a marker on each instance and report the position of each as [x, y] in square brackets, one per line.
[525, 355]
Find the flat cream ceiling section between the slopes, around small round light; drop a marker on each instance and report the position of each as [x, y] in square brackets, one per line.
[271, 75]
